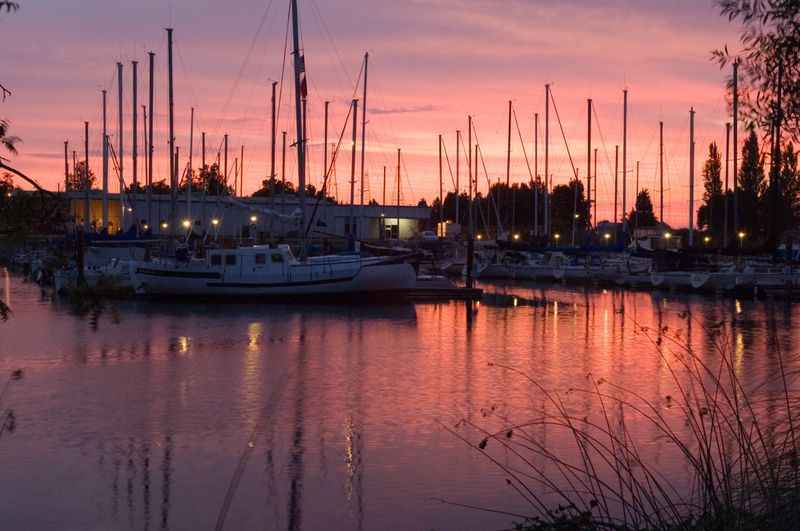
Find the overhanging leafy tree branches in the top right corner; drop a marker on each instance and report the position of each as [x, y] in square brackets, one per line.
[770, 39]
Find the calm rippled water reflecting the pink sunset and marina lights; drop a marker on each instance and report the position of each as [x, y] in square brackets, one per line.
[142, 415]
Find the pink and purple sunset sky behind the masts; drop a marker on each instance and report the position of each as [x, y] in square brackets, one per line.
[432, 62]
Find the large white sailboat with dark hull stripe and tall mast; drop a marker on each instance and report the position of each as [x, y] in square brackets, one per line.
[263, 271]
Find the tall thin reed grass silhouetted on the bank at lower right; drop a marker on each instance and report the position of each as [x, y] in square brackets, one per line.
[737, 446]
